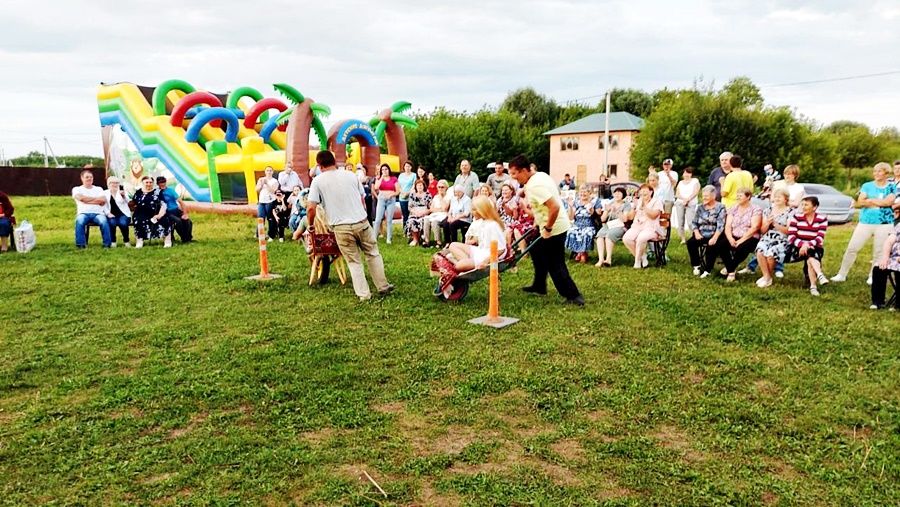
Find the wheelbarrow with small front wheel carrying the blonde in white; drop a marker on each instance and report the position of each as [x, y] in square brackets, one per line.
[453, 285]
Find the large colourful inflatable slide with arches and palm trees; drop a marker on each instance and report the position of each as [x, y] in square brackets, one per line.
[213, 147]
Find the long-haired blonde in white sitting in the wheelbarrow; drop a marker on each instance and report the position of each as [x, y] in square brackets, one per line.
[486, 227]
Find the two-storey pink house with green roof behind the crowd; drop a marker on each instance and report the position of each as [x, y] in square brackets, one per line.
[578, 149]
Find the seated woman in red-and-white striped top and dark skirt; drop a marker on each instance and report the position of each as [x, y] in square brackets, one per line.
[806, 240]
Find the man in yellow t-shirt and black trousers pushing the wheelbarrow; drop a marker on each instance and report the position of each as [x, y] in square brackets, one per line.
[549, 253]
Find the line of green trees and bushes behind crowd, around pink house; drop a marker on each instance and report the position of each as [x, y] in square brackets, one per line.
[692, 126]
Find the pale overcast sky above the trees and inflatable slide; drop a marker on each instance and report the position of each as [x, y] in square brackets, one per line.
[360, 56]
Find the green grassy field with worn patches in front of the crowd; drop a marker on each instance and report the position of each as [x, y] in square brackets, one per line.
[163, 377]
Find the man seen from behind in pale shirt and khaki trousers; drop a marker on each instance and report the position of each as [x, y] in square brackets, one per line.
[341, 195]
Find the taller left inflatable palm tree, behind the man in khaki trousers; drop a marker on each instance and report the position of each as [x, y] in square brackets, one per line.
[303, 116]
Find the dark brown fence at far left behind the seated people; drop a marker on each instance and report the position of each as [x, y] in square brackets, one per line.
[44, 180]
